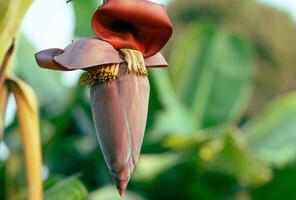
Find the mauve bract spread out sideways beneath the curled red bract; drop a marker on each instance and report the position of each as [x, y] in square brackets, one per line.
[87, 53]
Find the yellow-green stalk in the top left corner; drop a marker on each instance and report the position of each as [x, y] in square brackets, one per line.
[11, 14]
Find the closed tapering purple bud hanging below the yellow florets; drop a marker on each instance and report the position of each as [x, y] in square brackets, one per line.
[119, 110]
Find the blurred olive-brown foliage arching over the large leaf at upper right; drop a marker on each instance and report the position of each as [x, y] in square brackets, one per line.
[271, 32]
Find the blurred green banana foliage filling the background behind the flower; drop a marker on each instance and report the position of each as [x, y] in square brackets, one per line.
[213, 131]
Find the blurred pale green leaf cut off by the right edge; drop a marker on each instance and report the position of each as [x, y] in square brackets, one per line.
[272, 133]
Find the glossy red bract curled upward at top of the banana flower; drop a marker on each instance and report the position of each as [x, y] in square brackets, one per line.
[134, 24]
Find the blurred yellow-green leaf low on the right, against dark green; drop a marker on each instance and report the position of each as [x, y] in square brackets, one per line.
[231, 156]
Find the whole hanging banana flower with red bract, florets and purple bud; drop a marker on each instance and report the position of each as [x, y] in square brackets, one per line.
[130, 35]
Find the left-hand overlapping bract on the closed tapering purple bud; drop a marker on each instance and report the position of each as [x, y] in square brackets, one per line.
[111, 125]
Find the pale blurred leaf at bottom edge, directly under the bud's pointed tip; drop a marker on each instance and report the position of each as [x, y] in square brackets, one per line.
[110, 193]
